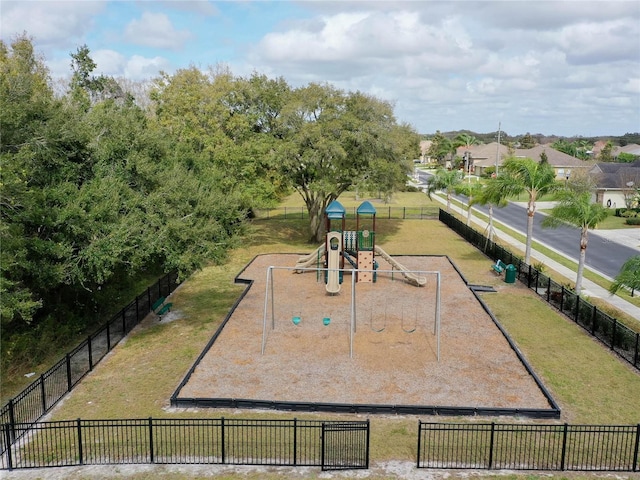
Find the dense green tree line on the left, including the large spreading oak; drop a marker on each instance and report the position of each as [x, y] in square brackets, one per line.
[98, 188]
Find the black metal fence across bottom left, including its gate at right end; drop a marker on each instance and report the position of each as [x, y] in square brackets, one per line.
[329, 444]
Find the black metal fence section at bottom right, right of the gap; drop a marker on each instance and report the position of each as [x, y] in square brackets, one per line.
[528, 447]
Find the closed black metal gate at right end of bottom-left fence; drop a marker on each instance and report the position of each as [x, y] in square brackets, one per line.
[345, 445]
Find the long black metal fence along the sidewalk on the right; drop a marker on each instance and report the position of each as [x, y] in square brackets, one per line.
[615, 335]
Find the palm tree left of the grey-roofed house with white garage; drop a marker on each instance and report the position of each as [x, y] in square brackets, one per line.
[575, 208]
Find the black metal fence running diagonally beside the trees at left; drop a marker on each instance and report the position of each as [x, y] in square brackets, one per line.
[39, 397]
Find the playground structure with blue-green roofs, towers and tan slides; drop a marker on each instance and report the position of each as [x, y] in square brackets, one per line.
[357, 247]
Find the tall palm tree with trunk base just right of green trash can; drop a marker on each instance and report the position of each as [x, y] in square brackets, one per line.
[520, 175]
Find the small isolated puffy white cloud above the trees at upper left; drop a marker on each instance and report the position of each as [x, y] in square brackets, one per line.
[156, 30]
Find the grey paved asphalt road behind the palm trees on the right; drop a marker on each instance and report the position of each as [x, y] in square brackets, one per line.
[604, 254]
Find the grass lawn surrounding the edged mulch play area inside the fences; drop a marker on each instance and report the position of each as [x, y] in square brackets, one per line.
[591, 385]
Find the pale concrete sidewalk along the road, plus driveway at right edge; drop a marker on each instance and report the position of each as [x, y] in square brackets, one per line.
[589, 289]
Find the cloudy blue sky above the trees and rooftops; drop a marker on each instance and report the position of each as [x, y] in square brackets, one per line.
[540, 66]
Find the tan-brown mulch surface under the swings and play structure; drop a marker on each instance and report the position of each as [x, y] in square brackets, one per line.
[394, 360]
